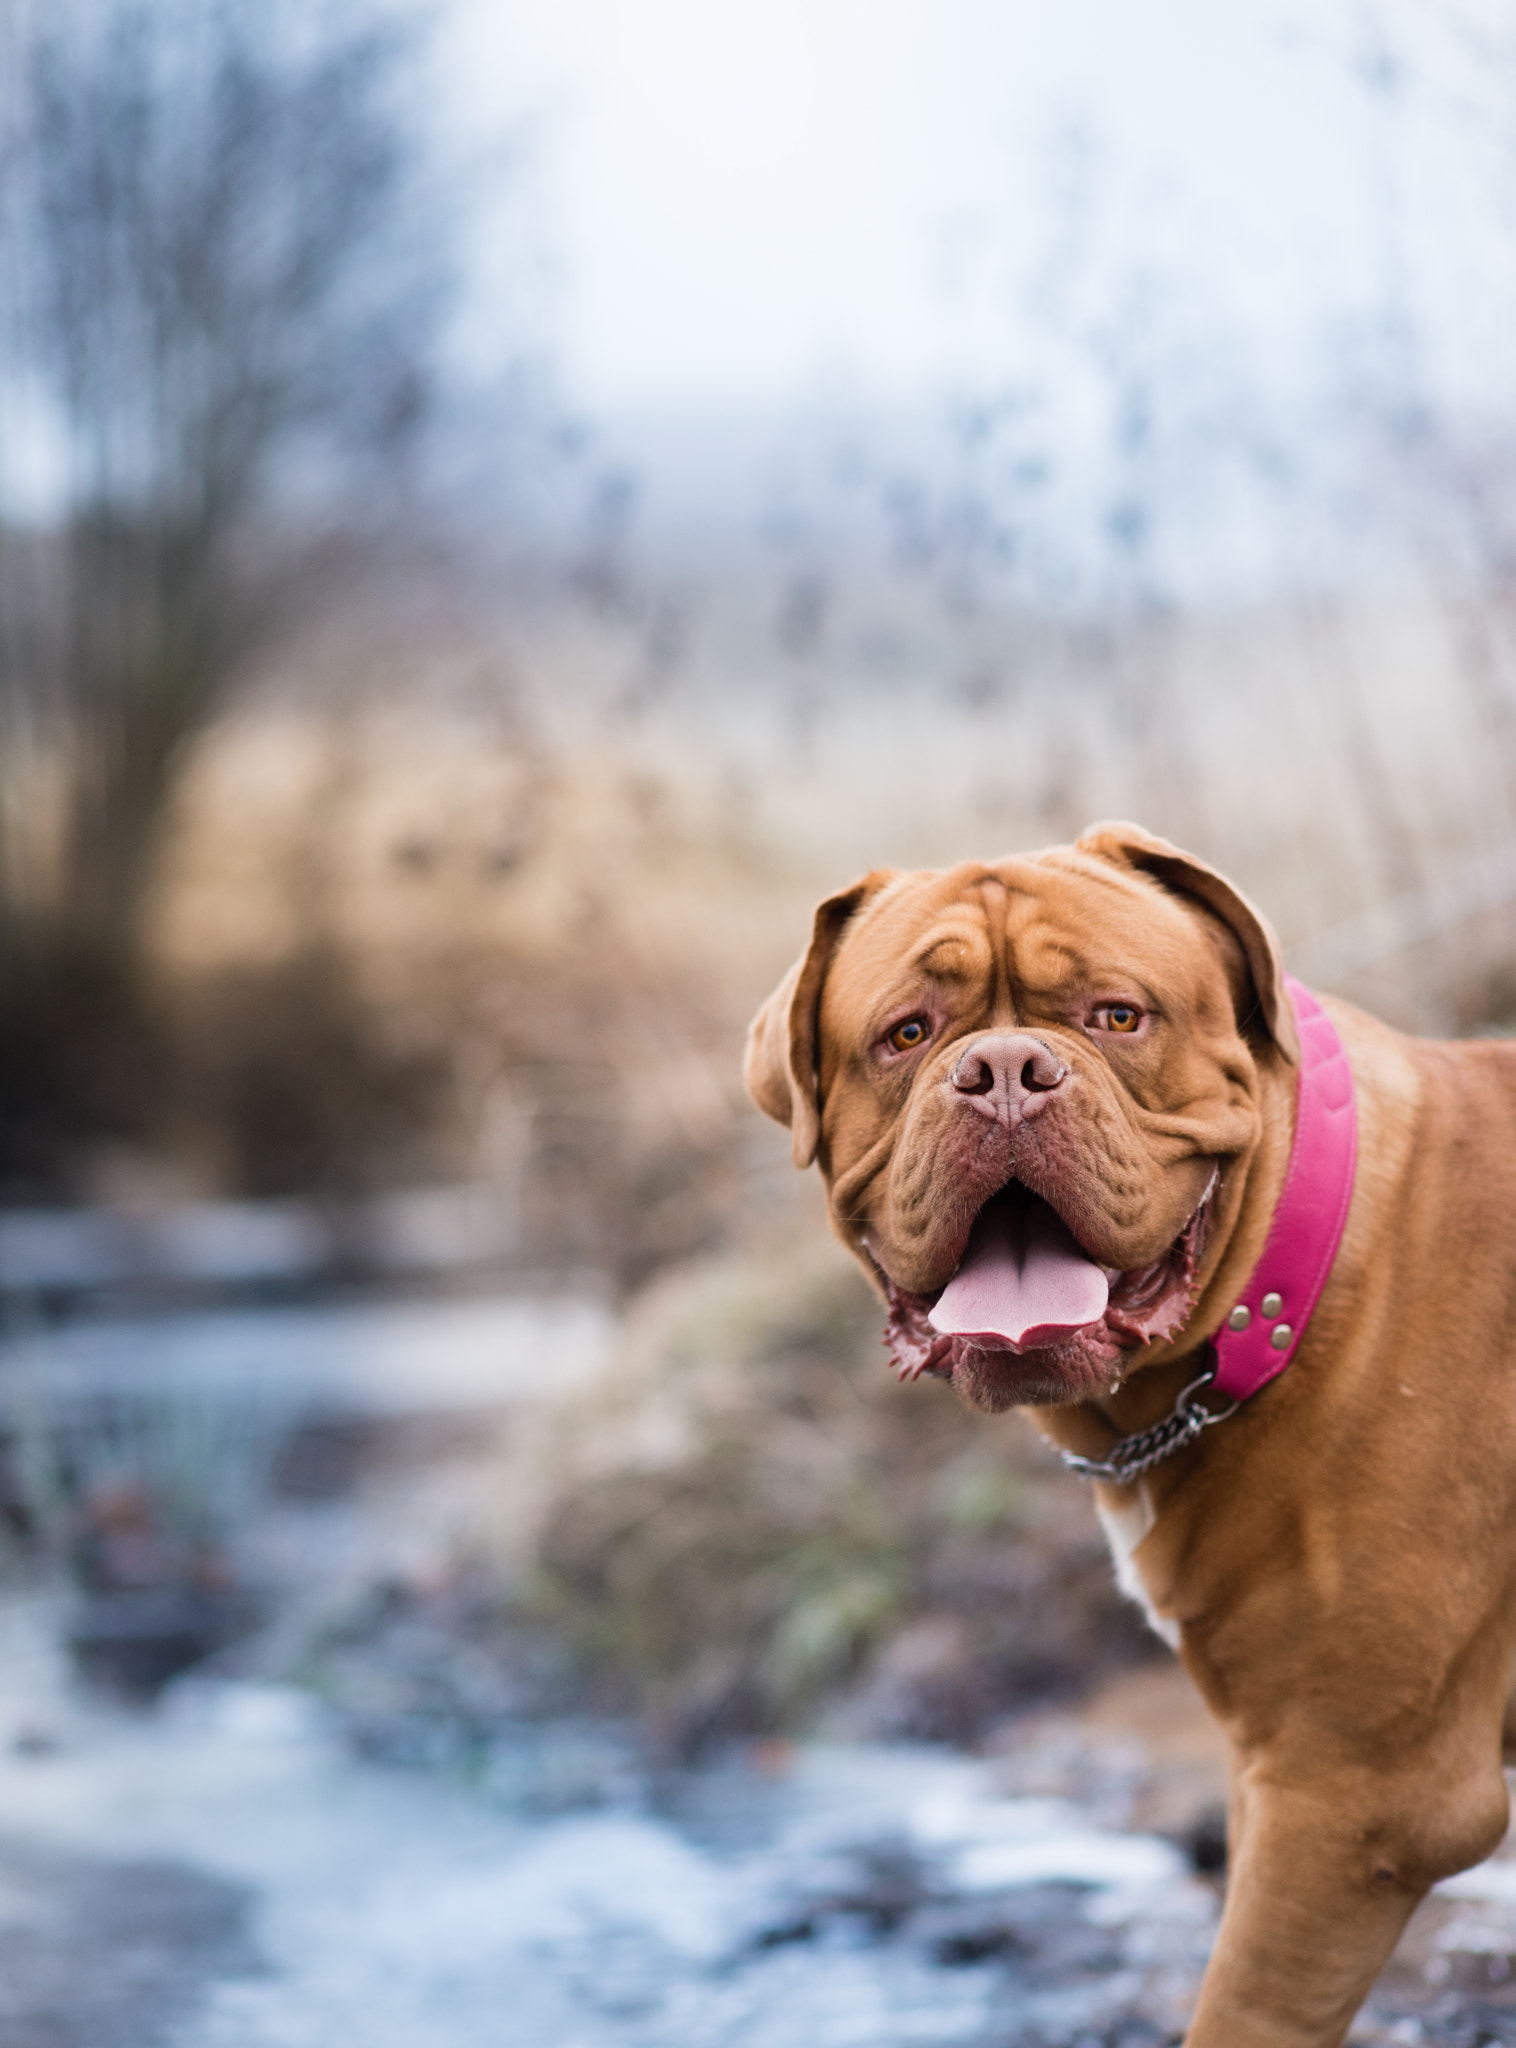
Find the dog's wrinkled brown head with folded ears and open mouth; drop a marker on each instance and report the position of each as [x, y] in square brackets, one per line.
[1025, 1082]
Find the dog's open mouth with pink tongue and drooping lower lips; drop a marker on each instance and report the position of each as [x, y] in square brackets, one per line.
[1025, 1285]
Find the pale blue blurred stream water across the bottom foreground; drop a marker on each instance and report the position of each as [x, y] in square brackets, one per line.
[851, 1897]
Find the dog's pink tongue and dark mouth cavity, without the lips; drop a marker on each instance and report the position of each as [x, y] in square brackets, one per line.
[1023, 1281]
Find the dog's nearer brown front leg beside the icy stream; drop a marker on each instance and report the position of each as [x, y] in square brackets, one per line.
[1324, 1877]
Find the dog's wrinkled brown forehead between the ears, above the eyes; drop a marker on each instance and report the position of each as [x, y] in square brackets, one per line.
[1046, 923]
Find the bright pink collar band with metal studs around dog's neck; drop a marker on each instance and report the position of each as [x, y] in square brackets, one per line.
[1267, 1324]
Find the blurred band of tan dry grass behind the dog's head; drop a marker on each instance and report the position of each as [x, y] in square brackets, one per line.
[497, 929]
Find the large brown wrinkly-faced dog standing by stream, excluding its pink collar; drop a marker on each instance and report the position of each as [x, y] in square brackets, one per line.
[1081, 1066]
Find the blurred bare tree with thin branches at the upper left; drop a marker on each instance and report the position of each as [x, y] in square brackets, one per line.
[220, 292]
